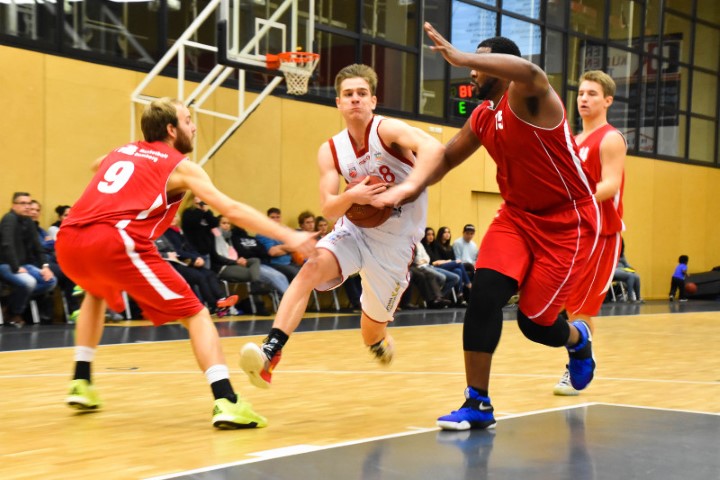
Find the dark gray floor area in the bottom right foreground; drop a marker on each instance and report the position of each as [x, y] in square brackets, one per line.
[593, 442]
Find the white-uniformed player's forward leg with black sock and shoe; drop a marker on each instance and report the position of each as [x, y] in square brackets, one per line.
[259, 362]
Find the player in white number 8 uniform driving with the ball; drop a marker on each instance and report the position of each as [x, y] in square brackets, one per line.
[370, 146]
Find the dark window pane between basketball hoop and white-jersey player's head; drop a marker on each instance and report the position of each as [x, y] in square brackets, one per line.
[336, 52]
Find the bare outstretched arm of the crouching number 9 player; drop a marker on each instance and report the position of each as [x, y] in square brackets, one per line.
[190, 176]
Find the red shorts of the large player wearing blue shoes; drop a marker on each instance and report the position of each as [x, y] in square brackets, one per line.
[542, 252]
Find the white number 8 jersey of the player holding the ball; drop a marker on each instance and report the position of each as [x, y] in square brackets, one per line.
[380, 160]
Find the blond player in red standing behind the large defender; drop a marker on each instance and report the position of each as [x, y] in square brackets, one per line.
[602, 149]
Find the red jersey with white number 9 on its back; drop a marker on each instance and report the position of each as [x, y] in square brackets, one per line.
[129, 191]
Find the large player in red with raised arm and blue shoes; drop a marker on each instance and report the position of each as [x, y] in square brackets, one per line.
[543, 232]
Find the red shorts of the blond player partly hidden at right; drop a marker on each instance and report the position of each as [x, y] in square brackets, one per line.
[594, 280]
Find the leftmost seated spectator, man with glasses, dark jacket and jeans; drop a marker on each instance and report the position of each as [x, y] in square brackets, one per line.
[23, 263]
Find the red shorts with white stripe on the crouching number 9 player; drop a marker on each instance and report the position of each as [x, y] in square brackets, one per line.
[106, 261]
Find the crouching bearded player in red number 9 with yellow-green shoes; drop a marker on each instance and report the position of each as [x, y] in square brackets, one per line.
[106, 245]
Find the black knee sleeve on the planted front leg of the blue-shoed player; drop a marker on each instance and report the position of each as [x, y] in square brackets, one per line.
[483, 318]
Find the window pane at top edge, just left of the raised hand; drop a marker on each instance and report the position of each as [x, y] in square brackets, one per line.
[394, 21]
